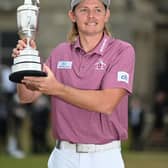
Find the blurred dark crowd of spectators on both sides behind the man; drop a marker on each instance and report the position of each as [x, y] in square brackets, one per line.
[148, 127]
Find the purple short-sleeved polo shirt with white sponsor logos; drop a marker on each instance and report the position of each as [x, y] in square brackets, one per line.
[109, 65]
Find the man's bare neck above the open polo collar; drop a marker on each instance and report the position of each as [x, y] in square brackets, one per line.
[88, 43]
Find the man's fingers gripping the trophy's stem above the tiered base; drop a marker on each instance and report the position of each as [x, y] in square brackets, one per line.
[21, 45]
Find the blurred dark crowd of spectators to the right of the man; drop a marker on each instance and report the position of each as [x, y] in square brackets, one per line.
[149, 122]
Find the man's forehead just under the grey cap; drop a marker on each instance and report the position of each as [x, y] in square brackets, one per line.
[91, 3]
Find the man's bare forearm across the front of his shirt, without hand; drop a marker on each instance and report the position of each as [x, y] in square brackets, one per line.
[103, 101]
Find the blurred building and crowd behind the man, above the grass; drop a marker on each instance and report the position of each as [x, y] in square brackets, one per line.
[143, 23]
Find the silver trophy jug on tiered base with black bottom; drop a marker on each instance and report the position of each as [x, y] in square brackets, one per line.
[28, 63]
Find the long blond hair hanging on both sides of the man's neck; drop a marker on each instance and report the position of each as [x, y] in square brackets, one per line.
[73, 34]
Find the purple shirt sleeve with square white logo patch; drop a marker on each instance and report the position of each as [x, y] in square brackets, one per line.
[120, 73]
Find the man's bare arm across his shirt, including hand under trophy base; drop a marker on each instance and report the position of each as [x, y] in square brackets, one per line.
[102, 101]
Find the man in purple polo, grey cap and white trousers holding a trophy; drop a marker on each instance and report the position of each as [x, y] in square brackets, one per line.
[89, 80]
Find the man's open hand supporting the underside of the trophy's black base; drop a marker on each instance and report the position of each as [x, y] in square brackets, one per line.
[47, 85]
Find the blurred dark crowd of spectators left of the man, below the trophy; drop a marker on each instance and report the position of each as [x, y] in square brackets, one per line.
[13, 117]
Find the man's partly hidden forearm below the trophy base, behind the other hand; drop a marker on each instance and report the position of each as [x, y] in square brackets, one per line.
[26, 95]
